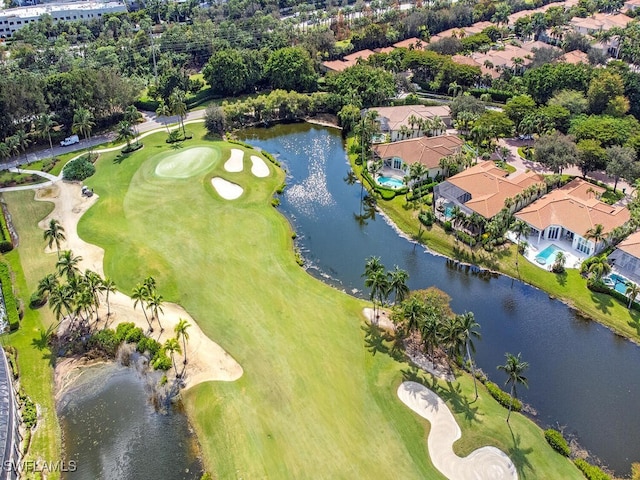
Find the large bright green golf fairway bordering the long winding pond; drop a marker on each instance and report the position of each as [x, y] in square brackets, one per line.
[318, 397]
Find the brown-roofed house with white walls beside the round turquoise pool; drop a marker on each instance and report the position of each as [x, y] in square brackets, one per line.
[399, 156]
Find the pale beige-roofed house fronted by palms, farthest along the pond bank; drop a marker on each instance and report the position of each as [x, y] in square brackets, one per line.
[409, 121]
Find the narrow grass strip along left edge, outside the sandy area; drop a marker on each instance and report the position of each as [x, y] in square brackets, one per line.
[29, 264]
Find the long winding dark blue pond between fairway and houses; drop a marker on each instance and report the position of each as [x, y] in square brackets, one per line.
[582, 378]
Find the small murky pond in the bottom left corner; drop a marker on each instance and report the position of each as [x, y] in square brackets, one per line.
[111, 431]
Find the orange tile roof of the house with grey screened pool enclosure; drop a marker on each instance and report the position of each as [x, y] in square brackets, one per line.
[489, 187]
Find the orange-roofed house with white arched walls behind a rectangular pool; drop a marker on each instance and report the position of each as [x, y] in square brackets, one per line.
[567, 214]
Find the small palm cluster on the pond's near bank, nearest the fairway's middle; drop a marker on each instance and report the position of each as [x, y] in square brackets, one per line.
[382, 283]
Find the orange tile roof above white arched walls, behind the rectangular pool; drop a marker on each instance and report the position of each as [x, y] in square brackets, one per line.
[574, 207]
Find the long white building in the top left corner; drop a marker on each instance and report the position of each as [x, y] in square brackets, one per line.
[13, 19]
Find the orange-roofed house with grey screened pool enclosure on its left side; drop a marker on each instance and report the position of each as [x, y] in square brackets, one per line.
[483, 189]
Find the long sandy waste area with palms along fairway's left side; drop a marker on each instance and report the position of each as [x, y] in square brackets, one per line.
[207, 360]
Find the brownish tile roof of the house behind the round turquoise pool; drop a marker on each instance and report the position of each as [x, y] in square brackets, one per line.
[425, 150]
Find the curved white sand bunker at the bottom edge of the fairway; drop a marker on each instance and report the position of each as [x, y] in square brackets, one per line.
[483, 463]
